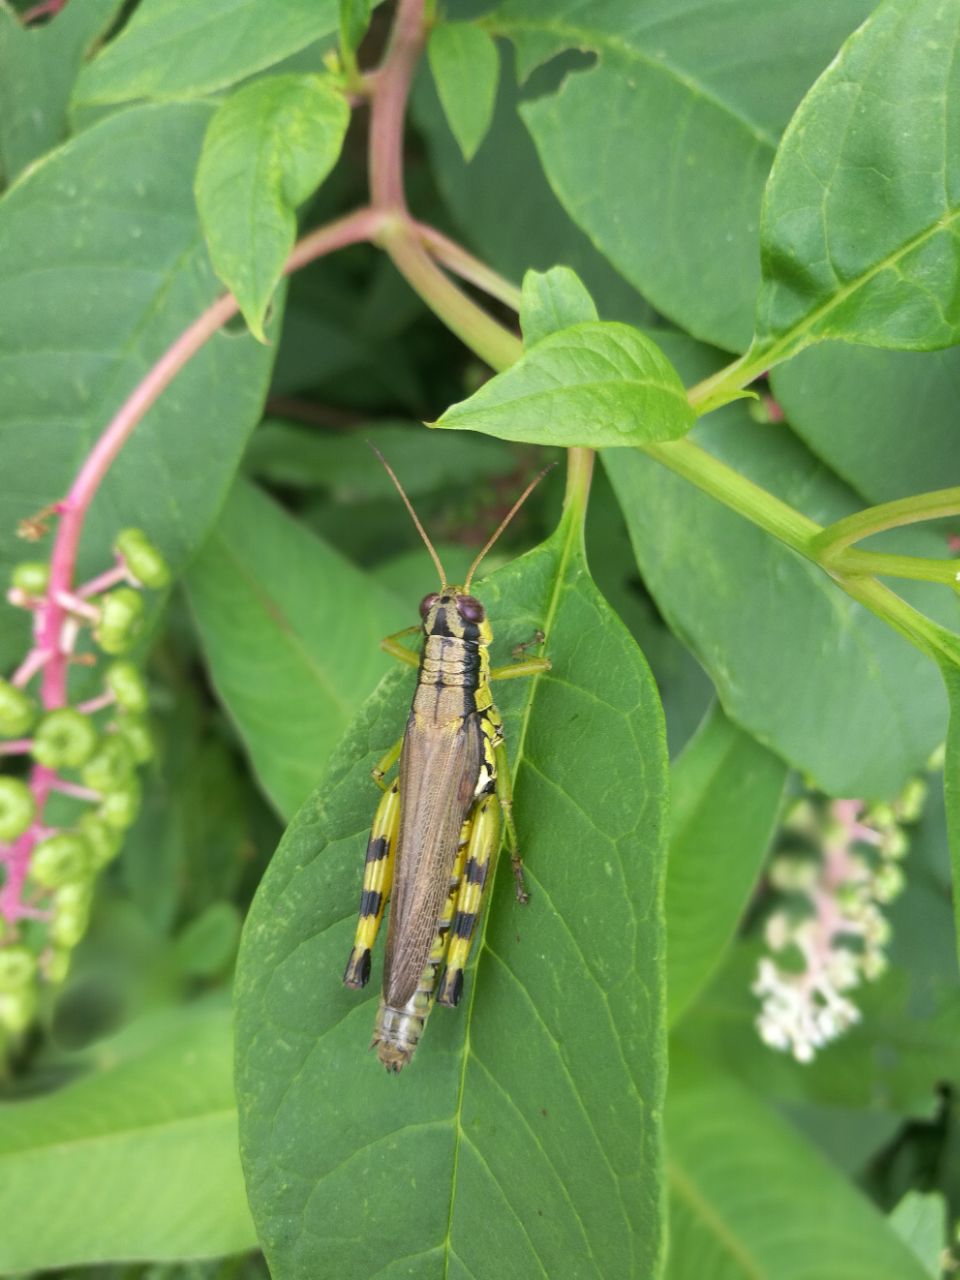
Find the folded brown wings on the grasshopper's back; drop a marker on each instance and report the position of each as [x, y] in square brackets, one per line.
[438, 772]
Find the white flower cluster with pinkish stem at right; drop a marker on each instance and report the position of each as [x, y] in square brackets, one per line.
[830, 934]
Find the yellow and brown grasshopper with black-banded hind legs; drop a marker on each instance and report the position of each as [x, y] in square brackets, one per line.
[440, 824]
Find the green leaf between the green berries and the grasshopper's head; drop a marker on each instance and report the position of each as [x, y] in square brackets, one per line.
[291, 634]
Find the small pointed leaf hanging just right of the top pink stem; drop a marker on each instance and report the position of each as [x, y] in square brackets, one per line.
[465, 67]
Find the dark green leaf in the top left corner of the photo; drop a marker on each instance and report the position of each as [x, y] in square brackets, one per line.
[40, 66]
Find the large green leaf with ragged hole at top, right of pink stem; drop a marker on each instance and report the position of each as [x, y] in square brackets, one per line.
[660, 152]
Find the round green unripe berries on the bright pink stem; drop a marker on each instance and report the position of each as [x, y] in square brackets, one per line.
[93, 749]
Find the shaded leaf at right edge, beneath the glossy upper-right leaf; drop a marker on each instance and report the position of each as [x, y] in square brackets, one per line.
[884, 420]
